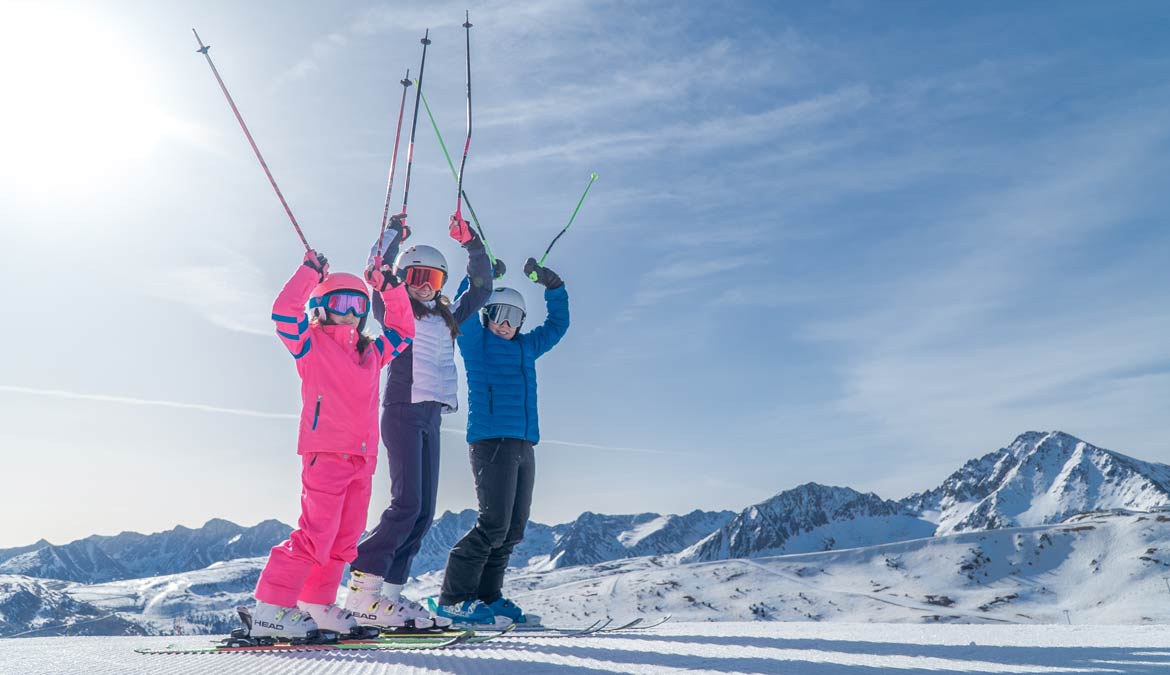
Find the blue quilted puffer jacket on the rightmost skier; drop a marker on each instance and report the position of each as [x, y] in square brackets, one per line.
[501, 375]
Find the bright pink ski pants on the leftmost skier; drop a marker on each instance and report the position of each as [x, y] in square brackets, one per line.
[335, 499]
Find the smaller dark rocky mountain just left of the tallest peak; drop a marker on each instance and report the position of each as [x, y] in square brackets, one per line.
[810, 518]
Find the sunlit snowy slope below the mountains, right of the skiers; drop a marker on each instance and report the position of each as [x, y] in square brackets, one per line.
[1102, 568]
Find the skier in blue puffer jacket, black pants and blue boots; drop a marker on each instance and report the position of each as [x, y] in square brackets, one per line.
[503, 429]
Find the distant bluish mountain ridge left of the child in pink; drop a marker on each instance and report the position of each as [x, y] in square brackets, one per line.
[132, 555]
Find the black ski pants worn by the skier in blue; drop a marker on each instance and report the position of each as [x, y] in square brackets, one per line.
[505, 471]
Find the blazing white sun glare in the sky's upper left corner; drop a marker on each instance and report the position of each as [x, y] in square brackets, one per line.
[79, 109]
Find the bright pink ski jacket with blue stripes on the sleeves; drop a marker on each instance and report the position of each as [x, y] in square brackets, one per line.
[339, 385]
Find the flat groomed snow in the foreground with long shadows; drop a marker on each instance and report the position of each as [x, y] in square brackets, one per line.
[726, 649]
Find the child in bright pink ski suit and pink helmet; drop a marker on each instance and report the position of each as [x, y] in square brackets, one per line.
[340, 373]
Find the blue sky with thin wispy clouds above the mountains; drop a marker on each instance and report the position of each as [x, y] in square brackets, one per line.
[846, 243]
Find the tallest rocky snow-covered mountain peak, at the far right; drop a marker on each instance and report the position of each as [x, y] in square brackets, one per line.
[1042, 478]
